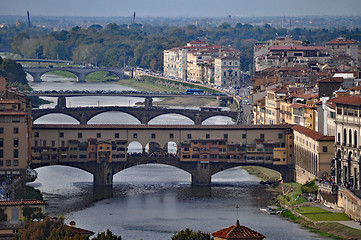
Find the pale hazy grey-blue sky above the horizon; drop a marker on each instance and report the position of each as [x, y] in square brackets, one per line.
[187, 8]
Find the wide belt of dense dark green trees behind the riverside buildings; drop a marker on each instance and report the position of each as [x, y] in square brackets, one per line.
[137, 45]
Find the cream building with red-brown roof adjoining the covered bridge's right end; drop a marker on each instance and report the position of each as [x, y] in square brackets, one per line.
[314, 154]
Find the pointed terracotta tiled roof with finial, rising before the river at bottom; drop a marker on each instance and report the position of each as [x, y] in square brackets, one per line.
[237, 232]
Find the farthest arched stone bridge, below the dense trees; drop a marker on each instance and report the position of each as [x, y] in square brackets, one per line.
[80, 73]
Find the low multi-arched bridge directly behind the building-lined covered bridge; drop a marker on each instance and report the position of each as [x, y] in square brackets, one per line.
[144, 115]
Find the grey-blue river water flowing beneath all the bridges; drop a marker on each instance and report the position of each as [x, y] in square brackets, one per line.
[155, 201]
